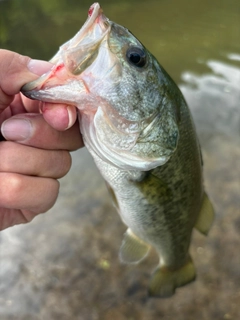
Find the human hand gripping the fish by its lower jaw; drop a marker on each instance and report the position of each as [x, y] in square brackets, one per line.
[36, 152]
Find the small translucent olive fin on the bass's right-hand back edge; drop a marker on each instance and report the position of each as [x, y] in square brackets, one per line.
[206, 216]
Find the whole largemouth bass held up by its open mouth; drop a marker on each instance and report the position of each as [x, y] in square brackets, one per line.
[139, 130]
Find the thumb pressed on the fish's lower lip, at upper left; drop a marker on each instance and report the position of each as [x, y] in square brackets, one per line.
[17, 70]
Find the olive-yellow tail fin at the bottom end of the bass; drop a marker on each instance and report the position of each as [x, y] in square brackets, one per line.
[164, 281]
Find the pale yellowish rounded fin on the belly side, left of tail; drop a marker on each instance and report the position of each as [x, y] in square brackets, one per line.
[133, 249]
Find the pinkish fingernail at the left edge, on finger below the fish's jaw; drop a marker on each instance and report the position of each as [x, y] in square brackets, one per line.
[16, 129]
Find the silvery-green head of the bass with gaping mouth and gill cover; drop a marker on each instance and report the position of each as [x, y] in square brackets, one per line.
[128, 105]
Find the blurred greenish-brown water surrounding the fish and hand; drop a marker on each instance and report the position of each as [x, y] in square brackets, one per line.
[64, 264]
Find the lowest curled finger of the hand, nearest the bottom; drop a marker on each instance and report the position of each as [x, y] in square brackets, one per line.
[36, 194]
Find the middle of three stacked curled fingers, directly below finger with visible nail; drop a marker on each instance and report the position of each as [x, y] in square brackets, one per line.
[27, 160]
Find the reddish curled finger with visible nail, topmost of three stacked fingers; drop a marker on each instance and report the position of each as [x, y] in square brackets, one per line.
[33, 130]
